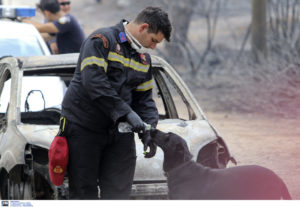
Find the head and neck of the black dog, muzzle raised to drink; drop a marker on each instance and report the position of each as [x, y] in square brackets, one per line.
[175, 149]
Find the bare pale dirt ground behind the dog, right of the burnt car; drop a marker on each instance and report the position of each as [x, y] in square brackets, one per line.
[268, 141]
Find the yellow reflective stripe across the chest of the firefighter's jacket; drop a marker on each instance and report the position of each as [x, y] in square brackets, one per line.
[112, 56]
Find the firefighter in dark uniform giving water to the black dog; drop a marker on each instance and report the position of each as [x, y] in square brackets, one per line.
[112, 83]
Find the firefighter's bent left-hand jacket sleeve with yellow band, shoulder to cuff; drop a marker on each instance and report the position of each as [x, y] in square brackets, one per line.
[95, 81]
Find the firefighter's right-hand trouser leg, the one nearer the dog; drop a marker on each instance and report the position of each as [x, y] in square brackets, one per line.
[117, 167]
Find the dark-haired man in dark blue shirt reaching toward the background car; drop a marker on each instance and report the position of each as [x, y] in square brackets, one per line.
[69, 34]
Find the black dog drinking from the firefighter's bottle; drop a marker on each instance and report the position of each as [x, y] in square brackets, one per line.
[190, 180]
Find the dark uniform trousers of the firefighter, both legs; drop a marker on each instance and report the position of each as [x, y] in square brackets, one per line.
[104, 158]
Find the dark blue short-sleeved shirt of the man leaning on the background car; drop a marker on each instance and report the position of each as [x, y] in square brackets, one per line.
[70, 35]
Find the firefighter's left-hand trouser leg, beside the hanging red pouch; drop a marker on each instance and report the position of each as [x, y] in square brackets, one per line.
[85, 149]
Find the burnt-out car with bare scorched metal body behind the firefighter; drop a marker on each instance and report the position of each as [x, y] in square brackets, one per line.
[31, 92]
